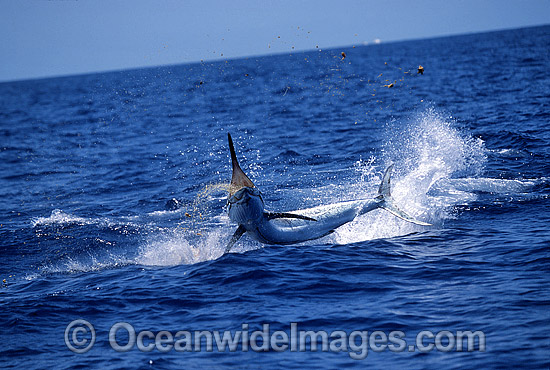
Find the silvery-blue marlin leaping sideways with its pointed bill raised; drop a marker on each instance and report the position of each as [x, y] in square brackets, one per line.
[247, 209]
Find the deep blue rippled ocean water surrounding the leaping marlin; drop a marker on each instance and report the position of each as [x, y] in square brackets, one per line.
[114, 189]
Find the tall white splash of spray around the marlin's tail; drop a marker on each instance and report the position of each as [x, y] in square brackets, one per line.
[427, 151]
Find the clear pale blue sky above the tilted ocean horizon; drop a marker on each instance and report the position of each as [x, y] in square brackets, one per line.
[43, 38]
